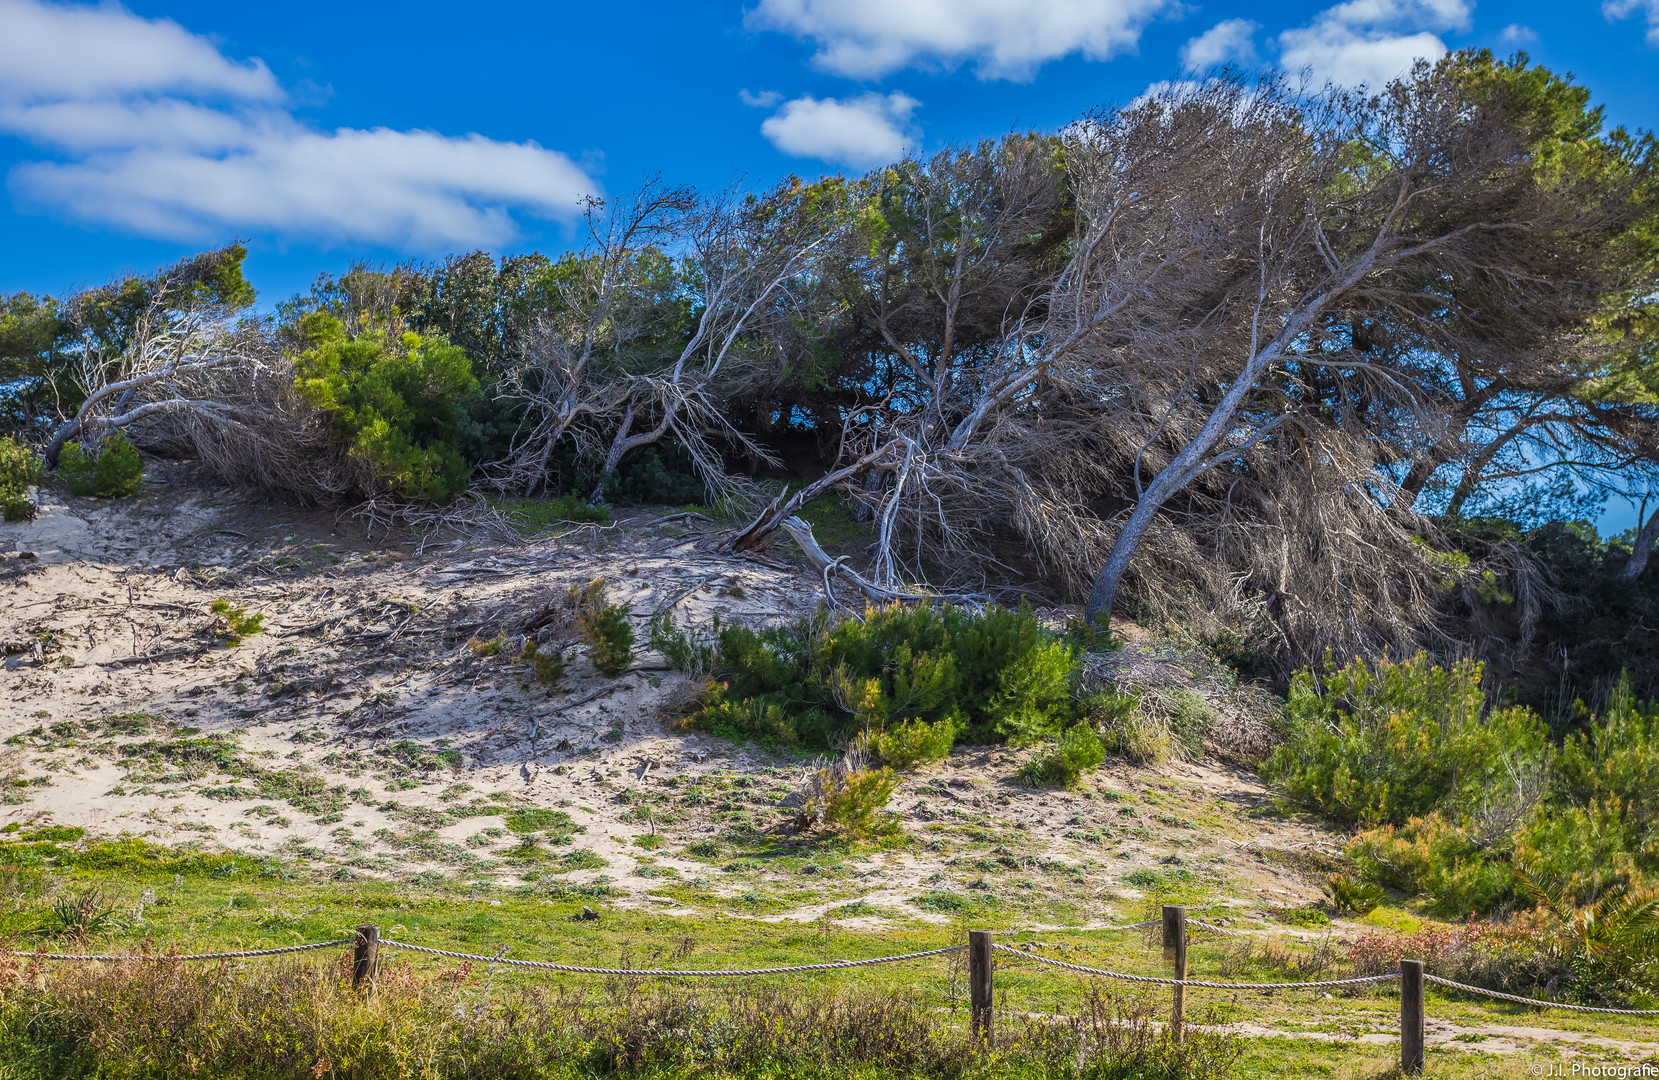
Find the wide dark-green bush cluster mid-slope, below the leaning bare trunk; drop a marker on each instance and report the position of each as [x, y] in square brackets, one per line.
[993, 676]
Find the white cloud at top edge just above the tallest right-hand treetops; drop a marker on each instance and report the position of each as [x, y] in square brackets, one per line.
[1370, 42]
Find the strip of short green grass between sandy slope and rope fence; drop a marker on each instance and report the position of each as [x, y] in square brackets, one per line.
[226, 903]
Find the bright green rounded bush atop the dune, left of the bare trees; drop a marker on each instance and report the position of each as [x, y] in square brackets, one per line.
[401, 402]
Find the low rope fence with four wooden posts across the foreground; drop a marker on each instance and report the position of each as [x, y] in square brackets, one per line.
[981, 951]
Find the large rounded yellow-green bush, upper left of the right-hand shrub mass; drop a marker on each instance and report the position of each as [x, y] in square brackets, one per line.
[1401, 741]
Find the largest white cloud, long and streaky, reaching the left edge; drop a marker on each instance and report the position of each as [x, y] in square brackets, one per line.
[163, 135]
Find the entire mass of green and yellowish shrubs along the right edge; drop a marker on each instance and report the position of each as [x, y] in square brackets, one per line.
[1456, 795]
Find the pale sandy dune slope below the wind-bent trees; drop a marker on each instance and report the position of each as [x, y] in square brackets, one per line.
[366, 651]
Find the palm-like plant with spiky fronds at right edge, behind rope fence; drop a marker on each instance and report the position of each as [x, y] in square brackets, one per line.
[1615, 941]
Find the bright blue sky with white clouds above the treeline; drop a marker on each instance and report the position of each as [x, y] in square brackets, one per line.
[324, 134]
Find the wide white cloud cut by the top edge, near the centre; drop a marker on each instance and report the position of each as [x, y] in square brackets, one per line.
[1005, 39]
